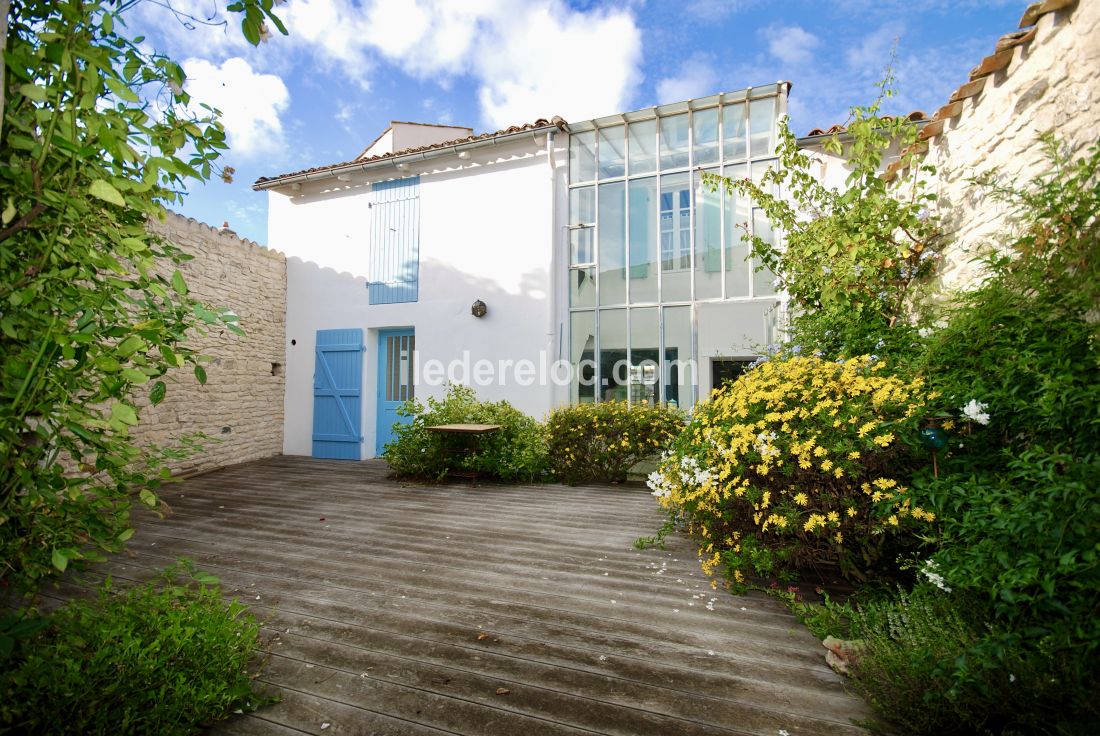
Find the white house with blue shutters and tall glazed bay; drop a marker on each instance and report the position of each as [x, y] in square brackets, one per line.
[546, 263]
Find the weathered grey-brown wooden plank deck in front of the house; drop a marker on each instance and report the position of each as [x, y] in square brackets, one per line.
[516, 611]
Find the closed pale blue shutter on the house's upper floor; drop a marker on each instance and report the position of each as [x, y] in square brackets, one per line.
[395, 241]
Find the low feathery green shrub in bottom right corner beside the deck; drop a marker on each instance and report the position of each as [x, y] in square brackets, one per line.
[918, 669]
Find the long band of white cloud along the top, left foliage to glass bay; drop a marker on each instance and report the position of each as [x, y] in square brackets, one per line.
[529, 59]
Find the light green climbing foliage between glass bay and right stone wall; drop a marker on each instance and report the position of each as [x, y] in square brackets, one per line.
[850, 258]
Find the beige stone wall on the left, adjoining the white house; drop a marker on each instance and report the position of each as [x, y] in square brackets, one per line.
[241, 404]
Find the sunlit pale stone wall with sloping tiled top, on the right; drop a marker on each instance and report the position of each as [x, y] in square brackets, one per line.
[1041, 79]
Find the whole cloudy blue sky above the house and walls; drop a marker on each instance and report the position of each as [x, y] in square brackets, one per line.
[348, 69]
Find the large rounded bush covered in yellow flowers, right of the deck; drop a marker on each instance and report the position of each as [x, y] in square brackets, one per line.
[797, 466]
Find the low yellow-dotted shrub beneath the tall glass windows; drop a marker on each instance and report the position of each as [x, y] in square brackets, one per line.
[601, 443]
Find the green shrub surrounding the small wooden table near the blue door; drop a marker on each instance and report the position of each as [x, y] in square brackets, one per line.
[515, 453]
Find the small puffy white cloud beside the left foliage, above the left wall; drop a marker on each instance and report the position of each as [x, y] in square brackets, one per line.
[250, 103]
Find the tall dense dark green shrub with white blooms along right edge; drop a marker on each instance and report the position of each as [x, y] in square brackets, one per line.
[1019, 489]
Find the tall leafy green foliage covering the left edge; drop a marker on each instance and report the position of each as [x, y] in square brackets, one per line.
[96, 140]
